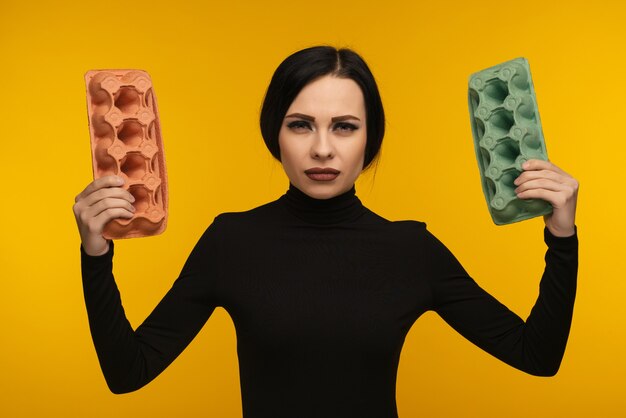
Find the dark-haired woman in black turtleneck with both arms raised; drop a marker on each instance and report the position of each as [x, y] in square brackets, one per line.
[321, 290]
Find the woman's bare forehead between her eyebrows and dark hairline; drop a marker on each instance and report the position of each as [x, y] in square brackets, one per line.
[330, 96]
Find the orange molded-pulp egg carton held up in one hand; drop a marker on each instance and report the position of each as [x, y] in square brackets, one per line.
[126, 141]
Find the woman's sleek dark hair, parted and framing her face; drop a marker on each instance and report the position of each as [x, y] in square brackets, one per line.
[303, 67]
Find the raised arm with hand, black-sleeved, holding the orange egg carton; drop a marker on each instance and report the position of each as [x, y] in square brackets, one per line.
[131, 358]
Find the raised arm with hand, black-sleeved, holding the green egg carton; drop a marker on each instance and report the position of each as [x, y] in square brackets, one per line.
[536, 345]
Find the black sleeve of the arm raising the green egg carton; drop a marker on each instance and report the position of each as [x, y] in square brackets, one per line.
[536, 345]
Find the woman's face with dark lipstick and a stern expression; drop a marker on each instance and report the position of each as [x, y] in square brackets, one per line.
[323, 136]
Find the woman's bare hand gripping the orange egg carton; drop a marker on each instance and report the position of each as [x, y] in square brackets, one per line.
[102, 200]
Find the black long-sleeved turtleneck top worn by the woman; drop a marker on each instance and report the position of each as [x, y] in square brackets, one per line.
[322, 294]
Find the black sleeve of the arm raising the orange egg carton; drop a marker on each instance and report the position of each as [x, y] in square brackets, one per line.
[131, 358]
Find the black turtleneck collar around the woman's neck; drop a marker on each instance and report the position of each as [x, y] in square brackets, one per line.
[345, 207]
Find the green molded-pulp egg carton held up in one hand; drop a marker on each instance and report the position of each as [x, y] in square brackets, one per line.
[507, 132]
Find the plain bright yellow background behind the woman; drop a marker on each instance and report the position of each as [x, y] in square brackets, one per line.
[210, 63]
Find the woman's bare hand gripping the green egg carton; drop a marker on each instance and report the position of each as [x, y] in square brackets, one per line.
[544, 180]
